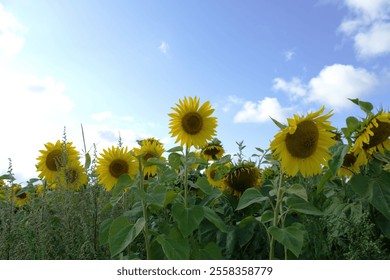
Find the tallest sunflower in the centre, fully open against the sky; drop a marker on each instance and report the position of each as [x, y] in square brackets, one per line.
[191, 123]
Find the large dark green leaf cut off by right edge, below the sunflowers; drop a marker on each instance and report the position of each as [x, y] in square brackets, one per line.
[376, 189]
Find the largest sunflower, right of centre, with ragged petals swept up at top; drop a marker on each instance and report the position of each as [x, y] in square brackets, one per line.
[303, 145]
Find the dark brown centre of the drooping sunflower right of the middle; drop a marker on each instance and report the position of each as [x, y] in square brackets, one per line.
[243, 178]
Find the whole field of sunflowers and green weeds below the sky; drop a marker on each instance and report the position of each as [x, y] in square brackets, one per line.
[317, 192]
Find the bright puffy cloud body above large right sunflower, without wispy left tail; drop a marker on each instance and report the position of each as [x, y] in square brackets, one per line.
[335, 83]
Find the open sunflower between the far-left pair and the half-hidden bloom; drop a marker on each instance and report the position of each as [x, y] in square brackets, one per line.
[114, 162]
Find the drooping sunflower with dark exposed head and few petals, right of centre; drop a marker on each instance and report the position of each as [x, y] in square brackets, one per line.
[241, 177]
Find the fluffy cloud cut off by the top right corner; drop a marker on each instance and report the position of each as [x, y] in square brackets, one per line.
[369, 26]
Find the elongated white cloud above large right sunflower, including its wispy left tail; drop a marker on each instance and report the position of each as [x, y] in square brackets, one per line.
[332, 86]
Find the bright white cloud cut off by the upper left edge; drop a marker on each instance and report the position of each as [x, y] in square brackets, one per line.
[11, 34]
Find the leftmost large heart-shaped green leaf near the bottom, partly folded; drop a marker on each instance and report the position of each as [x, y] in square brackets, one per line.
[122, 233]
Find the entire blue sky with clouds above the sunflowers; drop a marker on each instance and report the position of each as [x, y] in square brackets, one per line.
[119, 67]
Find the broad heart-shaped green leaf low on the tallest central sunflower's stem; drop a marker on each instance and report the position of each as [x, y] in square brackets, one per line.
[188, 219]
